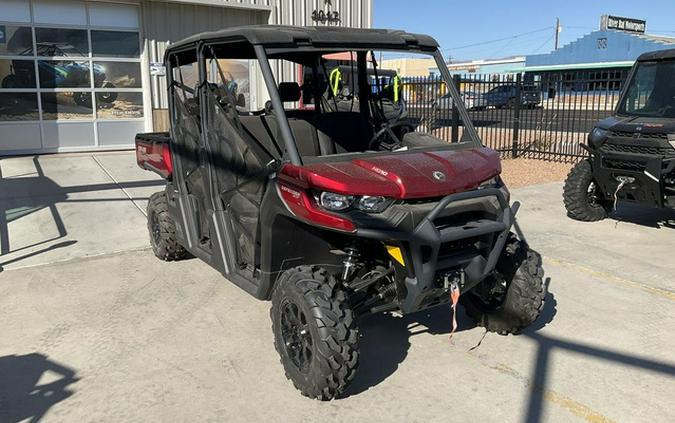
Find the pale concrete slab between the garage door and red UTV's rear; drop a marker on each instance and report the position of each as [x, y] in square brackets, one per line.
[59, 207]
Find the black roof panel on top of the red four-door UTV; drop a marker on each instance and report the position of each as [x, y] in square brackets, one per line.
[317, 36]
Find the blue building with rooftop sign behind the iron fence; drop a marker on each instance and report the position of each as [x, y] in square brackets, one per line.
[599, 60]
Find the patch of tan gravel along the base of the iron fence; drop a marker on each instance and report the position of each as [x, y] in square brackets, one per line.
[523, 172]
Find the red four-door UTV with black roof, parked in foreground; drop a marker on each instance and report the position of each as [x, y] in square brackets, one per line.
[331, 214]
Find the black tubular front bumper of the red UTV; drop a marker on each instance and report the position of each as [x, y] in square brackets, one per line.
[436, 251]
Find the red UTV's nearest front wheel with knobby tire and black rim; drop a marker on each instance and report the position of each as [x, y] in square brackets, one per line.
[315, 332]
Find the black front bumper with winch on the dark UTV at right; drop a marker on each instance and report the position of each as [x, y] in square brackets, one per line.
[645, 172]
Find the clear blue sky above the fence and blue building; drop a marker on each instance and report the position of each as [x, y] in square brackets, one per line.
[521, 26]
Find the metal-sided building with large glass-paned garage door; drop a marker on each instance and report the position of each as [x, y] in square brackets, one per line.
[81, 75]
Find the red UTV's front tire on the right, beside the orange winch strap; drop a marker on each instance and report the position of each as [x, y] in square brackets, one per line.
[520, 267]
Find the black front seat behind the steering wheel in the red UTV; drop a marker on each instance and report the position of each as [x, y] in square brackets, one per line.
[342, 132]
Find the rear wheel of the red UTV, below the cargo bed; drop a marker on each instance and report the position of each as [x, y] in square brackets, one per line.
[162, 230]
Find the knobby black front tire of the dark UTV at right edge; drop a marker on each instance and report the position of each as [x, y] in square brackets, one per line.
[580, 195]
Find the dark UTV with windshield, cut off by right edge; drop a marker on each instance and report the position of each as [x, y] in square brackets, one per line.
[632, 154]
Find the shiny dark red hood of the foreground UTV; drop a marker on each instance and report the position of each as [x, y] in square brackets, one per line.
[400, 175]
